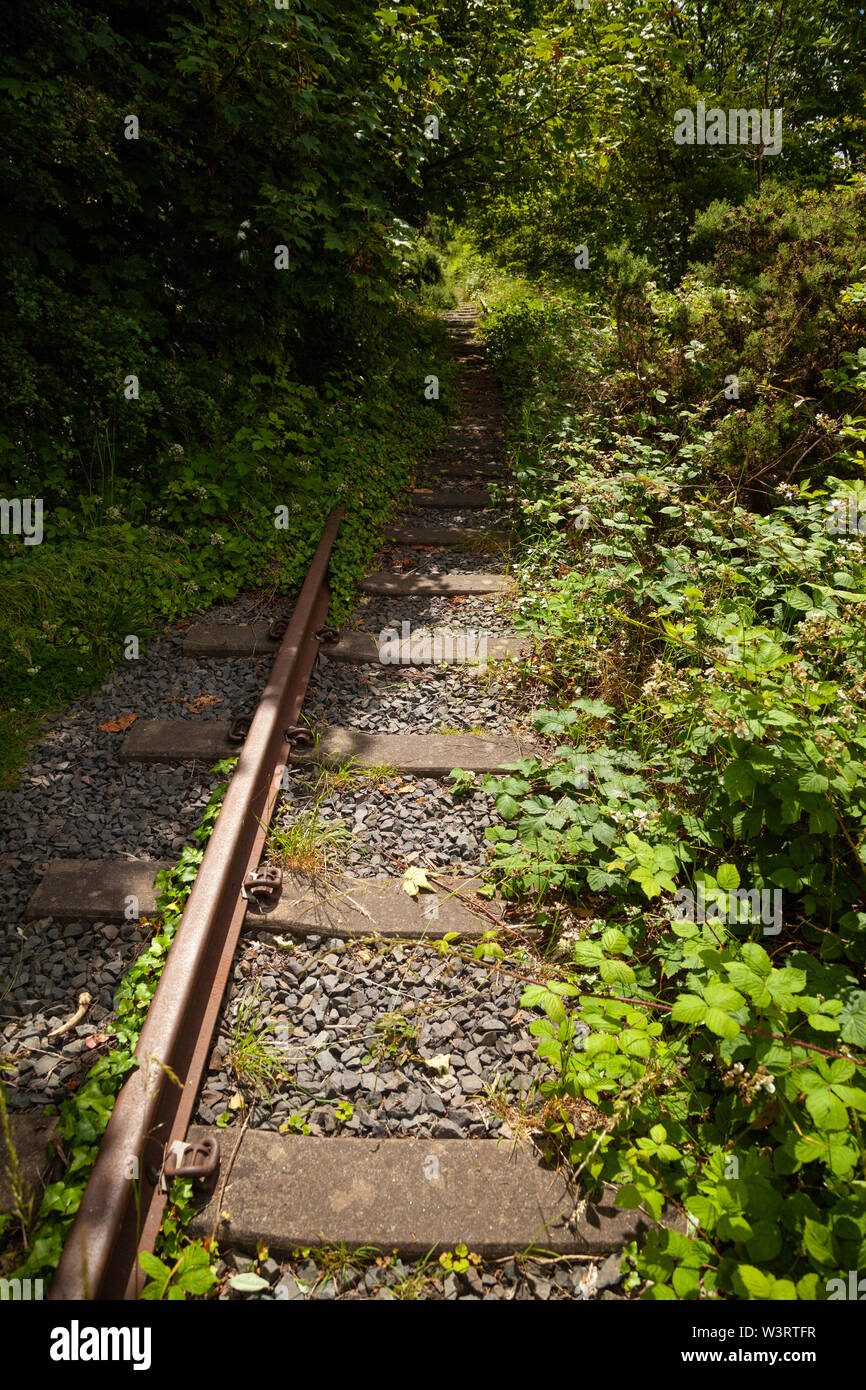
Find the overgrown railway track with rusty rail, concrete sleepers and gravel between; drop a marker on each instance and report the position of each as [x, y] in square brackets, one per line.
[391, 1096]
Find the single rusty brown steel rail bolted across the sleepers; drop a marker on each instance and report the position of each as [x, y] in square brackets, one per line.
[120, 1216]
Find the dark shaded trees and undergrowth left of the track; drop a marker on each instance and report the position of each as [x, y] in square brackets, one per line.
[213, 320]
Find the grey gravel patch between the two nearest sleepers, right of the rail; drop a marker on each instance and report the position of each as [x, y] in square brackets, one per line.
[357, 1040]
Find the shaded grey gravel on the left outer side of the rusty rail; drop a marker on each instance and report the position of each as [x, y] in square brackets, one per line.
[74, 800]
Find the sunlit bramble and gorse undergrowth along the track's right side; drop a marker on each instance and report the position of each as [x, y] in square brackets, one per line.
[697, 835]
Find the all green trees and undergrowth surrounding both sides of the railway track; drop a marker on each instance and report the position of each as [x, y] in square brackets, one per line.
[223, 241]
